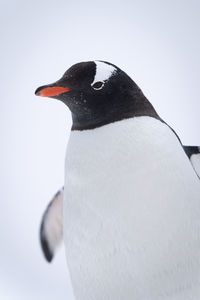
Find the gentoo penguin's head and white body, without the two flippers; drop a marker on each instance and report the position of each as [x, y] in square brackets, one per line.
[131, 196]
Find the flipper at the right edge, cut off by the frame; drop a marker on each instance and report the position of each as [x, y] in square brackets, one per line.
[193, 152]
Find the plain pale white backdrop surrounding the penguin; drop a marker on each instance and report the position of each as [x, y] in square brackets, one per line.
[156, 42]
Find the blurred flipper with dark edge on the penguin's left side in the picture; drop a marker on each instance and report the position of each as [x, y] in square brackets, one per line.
[51, 228]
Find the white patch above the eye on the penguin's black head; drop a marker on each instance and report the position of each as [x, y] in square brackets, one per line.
[103, 71]
